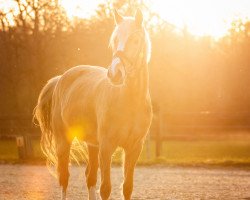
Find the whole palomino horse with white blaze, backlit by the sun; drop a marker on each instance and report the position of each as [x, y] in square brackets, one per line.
[106, 108]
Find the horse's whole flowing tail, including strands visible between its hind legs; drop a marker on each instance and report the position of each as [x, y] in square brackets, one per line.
[42, 113]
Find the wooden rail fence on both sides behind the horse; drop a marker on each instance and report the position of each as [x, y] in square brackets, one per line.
[23, 130]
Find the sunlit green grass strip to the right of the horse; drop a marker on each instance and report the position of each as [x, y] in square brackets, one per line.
[203, 152]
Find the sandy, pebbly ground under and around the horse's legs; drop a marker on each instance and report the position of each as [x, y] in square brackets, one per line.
[154, 182]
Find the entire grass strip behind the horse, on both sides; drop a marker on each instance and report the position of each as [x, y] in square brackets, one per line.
[226, 152]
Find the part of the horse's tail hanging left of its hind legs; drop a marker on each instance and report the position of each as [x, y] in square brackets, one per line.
[42, 113]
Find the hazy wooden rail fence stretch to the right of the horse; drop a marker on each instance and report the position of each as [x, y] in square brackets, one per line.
[192, 126]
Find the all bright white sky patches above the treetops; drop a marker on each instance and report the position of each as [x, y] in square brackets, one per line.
[201, 17]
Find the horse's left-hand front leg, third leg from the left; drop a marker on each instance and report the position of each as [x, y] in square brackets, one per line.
[106, 150]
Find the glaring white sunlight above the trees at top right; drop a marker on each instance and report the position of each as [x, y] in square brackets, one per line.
[201, 18]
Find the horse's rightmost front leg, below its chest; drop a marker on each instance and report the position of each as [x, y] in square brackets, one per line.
[131, 156]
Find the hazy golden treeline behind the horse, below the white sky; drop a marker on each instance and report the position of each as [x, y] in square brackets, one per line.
[195, 81]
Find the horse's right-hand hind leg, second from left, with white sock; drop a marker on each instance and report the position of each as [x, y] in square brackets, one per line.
[91, 171]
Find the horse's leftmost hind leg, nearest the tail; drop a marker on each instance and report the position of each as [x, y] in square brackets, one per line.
[63, 151]
